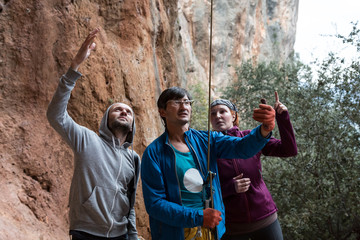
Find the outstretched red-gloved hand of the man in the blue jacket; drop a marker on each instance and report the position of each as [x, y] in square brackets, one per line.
[266, 115]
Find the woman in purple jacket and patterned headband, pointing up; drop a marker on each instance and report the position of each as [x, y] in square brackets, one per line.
[250, 212]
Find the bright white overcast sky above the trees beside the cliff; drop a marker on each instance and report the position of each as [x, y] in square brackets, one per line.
[324, 17]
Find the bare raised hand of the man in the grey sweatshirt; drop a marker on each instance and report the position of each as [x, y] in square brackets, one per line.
[85, 49]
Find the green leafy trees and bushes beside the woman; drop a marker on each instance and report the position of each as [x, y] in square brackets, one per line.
[318, 191]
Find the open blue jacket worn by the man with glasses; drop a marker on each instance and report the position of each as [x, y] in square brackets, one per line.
[160, 185]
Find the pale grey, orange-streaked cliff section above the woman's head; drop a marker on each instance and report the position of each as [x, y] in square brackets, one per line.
[241, 30]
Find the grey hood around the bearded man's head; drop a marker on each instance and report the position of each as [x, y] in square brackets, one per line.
[106, 133]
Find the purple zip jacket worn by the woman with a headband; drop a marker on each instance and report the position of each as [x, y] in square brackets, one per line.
[256, 203]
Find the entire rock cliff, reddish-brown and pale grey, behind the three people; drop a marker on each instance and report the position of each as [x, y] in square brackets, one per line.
[144, 47]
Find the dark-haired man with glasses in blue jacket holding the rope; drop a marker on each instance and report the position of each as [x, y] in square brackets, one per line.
[174, 169]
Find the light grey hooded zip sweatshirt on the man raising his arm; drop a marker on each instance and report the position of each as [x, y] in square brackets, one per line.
[103, 187]
